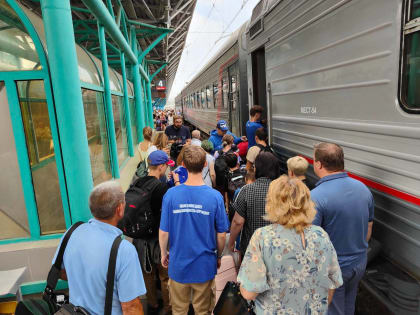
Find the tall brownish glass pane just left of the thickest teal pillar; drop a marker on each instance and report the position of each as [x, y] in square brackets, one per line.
[40, 146]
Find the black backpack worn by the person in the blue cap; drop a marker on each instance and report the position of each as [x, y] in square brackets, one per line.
[138, 220]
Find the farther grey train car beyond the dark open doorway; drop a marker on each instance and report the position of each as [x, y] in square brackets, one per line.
[219, 90]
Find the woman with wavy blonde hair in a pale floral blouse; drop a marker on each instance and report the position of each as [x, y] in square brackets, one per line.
[290, 266]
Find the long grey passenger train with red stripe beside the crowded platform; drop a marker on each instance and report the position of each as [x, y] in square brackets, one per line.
[342, 71]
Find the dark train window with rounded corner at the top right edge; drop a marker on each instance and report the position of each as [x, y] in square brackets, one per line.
[410, 81]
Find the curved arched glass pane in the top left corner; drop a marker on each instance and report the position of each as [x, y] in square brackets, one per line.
[17, 49]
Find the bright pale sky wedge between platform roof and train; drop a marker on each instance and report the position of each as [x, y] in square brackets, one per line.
[212, 22]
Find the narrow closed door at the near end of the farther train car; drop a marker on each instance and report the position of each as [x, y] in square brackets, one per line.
[234, 99]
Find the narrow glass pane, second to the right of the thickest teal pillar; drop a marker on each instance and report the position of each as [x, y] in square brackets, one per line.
[120, 128]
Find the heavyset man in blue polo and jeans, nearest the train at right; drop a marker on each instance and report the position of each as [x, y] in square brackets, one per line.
[345, 211]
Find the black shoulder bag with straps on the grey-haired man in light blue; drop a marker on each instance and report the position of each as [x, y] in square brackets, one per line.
[48, 305]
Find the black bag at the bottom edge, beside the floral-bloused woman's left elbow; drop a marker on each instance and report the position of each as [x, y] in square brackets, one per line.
[231, 302]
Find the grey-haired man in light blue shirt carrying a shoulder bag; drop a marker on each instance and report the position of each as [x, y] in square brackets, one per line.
[85, 262]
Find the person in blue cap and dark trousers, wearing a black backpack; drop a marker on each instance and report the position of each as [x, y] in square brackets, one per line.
[148, 250]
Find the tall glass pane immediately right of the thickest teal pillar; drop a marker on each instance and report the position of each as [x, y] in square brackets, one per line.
[93, 105]
